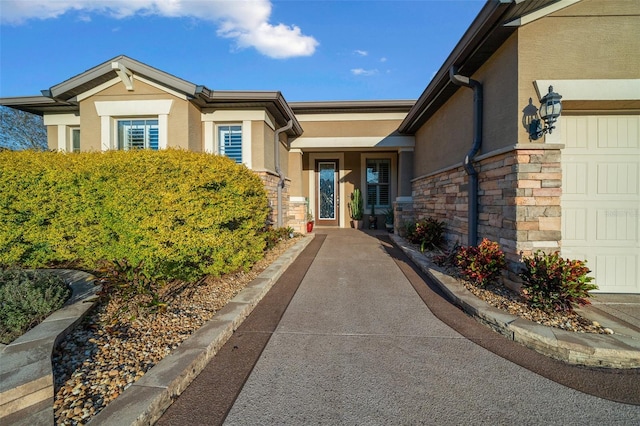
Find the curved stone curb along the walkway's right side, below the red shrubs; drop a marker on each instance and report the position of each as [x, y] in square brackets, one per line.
[593, 350]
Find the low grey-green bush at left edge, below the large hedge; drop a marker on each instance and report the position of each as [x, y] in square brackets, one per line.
[27, 298]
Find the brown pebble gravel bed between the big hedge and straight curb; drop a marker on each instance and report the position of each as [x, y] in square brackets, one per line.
[120, 339]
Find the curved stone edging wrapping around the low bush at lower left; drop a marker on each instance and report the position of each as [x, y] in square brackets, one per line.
[26, 373]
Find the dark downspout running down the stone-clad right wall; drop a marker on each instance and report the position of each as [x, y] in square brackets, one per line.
[477, 142]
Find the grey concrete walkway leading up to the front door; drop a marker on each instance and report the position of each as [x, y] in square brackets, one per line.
[357, 345]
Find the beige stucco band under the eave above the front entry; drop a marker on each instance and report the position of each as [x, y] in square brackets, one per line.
[349, 128]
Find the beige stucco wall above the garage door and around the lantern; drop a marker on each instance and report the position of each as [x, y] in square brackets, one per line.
[575, 43]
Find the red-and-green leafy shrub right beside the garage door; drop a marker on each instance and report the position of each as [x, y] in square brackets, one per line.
[553, 283]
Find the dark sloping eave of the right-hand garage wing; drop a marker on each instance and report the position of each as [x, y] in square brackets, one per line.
[495, 23]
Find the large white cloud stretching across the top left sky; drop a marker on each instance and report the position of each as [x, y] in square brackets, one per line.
[247, 22]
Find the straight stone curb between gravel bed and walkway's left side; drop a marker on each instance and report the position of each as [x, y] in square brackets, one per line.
[145, 400]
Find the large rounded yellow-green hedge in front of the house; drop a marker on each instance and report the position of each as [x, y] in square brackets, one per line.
[181, 214]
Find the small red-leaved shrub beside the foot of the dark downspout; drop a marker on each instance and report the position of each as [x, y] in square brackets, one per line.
[482, 264]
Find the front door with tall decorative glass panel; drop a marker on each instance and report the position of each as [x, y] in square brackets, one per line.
[327, 193]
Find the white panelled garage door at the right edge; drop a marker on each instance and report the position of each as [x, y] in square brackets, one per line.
[601, 198]
